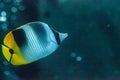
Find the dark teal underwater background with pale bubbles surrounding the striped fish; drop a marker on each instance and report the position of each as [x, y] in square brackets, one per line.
[91, 51]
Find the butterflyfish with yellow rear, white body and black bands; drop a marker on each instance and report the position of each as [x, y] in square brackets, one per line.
[31, 42]
